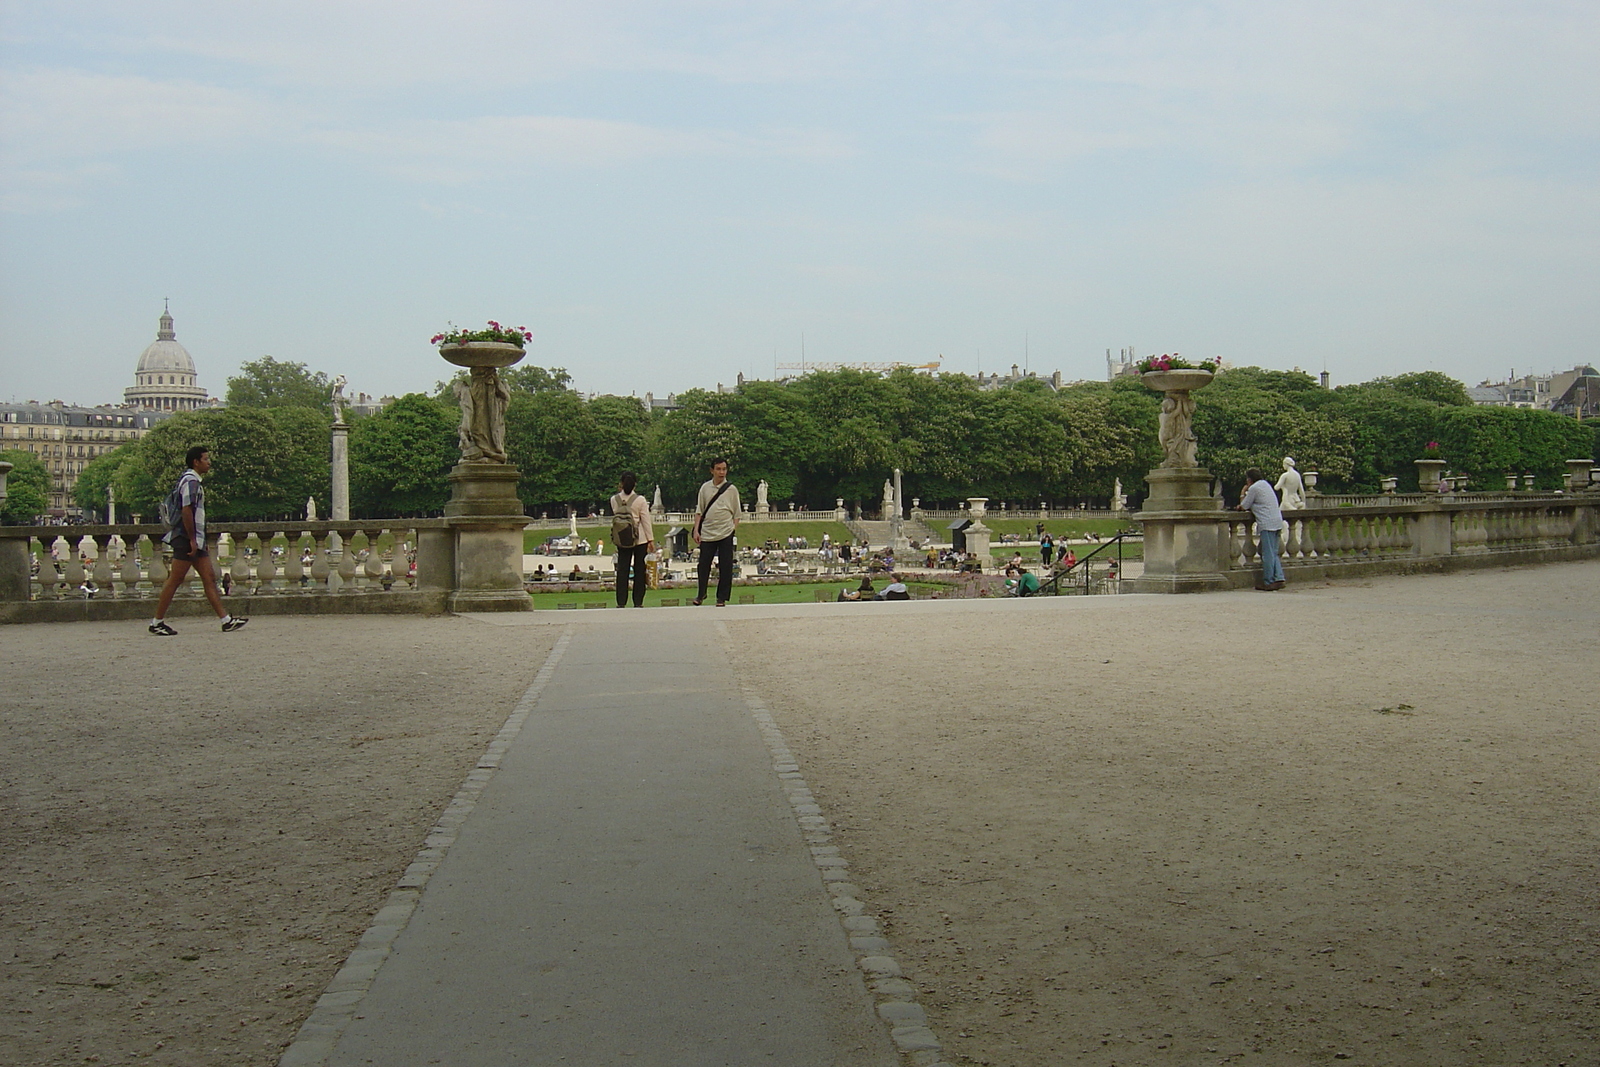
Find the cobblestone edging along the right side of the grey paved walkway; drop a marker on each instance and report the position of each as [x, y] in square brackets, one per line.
[895, 997]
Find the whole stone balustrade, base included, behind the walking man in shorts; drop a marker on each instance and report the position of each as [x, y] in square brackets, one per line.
[118, 572]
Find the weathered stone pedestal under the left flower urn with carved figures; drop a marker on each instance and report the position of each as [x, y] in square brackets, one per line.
[487, 521]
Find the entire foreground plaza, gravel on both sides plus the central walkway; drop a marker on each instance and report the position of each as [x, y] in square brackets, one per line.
[1346, 823]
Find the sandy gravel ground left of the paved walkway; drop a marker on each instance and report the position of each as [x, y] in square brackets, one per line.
[198, 829]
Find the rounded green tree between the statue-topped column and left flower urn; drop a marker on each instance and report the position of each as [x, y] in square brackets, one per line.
[401, 458]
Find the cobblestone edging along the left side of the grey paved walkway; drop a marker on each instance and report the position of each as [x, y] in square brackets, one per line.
[314, 1042]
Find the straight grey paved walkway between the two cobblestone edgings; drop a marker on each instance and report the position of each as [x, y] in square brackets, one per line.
[630, 885]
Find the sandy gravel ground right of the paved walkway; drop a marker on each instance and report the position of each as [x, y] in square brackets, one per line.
[1350, 823]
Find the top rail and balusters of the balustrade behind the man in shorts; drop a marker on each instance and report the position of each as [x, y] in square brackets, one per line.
[287, 559]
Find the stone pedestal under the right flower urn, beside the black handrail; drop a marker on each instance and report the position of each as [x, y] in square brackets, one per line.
[1185, 535]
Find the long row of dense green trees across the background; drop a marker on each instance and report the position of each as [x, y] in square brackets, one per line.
[833, 434]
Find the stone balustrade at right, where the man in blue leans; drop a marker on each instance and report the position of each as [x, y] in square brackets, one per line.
[1444, 533]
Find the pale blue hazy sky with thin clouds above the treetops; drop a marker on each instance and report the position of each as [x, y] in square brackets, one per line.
[673, 194]
